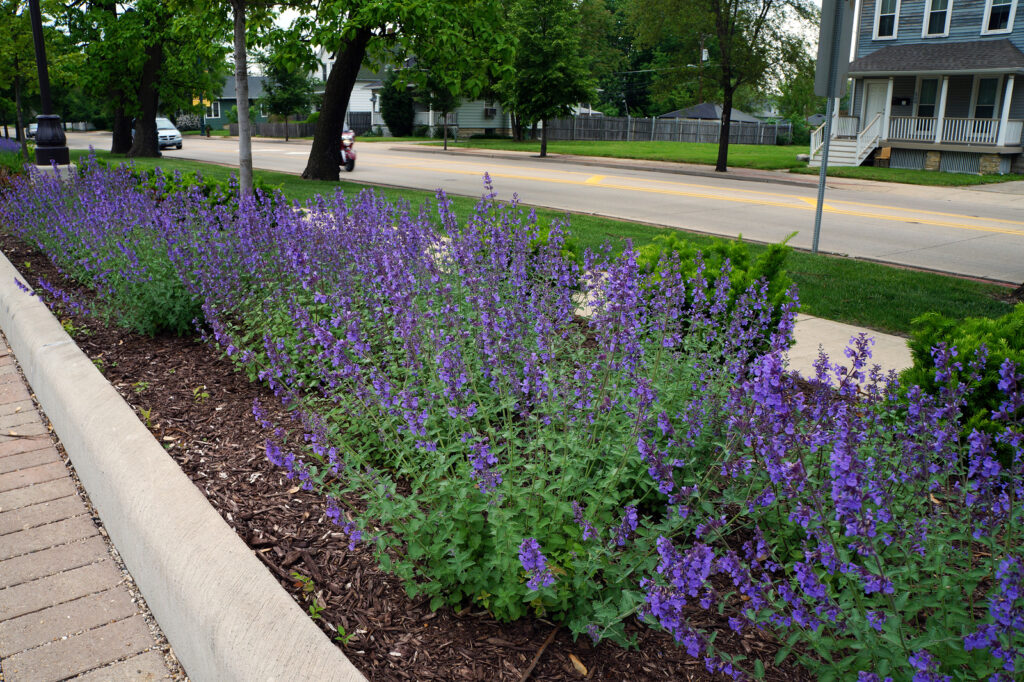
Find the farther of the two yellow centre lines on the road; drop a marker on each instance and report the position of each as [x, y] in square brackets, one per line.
[675, 184]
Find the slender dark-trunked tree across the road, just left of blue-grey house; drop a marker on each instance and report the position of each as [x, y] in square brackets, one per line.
[747, 39]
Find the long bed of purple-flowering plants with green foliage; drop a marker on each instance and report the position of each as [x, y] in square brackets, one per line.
[653, 461]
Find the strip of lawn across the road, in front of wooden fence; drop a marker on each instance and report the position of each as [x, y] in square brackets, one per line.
[769, 157]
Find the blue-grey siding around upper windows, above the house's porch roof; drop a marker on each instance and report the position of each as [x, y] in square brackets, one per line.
[964, 26]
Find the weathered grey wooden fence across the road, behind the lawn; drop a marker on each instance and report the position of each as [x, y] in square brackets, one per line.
[679, 131]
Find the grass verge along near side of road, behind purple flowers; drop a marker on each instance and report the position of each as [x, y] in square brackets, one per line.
[863, 293]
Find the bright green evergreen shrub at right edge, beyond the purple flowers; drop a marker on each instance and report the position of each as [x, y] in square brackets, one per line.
[1004, 338]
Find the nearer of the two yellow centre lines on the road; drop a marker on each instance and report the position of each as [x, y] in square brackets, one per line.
[802, 203]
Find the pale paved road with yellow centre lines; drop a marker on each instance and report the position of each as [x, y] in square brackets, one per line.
[967, 232]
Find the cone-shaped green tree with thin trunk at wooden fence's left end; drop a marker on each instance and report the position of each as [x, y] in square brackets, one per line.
[550, 75]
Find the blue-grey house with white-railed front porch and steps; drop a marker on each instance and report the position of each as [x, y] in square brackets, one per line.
[935, 88]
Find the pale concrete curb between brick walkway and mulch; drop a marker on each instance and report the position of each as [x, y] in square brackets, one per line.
[226, 617]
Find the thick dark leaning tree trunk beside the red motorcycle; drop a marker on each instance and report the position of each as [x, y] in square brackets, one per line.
[323, 162]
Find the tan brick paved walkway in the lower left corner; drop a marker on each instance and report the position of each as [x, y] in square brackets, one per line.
[67, 607]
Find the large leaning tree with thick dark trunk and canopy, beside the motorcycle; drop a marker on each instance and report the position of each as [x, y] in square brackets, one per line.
[386, 32]
